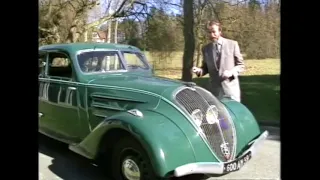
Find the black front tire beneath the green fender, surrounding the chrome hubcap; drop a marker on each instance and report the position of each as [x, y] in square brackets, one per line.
[129, 150]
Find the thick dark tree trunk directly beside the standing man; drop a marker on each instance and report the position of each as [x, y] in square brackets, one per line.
[189, 40]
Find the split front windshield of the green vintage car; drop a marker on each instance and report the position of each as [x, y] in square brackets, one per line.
[99, 61]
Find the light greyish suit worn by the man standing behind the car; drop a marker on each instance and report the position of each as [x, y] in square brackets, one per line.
[230, 59]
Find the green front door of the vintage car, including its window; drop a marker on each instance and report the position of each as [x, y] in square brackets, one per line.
[59, 99]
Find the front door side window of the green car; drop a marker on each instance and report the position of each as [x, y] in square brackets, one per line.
[59, 66]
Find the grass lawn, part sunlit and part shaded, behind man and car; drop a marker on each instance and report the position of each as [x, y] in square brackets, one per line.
[260, 86]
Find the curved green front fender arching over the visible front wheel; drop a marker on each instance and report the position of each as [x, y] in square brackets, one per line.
[166, 144]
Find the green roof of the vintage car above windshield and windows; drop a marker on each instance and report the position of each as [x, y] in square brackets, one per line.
[72, 47]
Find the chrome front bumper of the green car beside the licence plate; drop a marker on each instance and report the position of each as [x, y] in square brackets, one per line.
[217, 167]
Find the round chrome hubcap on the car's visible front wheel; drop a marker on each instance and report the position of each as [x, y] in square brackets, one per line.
[130, 169]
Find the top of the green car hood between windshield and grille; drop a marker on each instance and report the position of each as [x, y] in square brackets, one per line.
[148, 83]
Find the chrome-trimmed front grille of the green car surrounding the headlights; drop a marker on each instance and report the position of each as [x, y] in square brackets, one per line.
[217, 133]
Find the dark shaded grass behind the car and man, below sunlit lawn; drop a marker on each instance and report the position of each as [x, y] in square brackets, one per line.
[260, 93]
